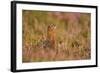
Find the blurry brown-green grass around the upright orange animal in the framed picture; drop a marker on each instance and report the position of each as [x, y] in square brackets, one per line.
[73, 36]
